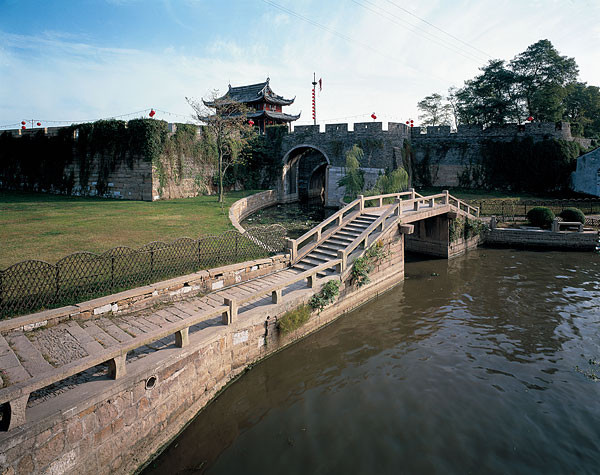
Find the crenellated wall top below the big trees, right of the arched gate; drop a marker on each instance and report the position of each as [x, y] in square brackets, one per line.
[558, 130]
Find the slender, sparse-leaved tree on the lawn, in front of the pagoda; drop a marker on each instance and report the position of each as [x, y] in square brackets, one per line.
[226, 121]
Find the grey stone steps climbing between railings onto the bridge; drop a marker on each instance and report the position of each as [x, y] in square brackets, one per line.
[339, 240]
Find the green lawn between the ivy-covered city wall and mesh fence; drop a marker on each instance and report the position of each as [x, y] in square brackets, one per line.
[49, 227]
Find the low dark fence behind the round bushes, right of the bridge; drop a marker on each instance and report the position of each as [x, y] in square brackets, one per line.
[511, 208]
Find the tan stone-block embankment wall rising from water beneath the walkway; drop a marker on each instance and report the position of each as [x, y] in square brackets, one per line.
[114, 426]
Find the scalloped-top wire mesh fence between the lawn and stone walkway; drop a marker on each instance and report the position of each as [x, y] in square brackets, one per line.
[31, 285]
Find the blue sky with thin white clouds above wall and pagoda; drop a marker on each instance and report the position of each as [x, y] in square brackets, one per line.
[90, 59]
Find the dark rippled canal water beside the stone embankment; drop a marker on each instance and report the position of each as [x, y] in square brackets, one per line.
[470, 371]
